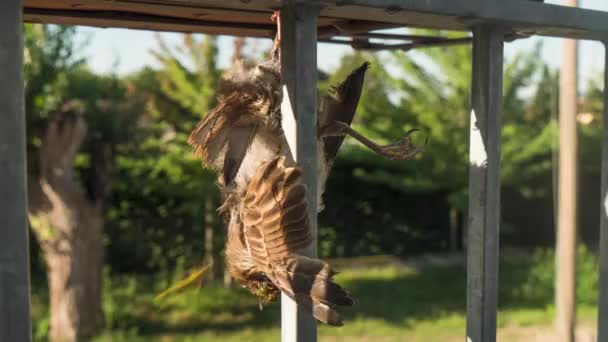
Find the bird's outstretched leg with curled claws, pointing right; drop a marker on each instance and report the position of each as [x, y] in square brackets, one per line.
[402, 149]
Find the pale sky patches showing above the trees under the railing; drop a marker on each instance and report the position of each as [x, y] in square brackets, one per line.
[125, 51]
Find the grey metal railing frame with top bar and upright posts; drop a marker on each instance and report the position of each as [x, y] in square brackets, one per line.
[490, 20]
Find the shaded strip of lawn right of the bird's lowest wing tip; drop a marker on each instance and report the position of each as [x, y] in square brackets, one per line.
[438, 291]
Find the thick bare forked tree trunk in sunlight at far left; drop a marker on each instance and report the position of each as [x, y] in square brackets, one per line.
[68, 226]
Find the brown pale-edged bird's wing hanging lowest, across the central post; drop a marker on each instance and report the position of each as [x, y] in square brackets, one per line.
[276, 227]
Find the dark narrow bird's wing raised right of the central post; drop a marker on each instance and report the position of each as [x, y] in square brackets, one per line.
[340, 105]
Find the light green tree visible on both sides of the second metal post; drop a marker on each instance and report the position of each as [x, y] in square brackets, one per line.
[435, 89]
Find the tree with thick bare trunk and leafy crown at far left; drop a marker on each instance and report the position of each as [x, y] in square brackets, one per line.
[72, 118]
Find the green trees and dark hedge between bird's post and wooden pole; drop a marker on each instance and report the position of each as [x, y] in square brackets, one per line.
[409, 201]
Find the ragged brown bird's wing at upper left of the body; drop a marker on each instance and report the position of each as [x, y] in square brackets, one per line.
[229, 127]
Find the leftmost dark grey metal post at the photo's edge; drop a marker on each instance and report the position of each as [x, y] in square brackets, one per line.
[14, 251]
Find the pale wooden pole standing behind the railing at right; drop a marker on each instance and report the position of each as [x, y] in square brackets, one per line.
[565, 256]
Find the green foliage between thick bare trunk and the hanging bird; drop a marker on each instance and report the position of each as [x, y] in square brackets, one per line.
[161, 192]
